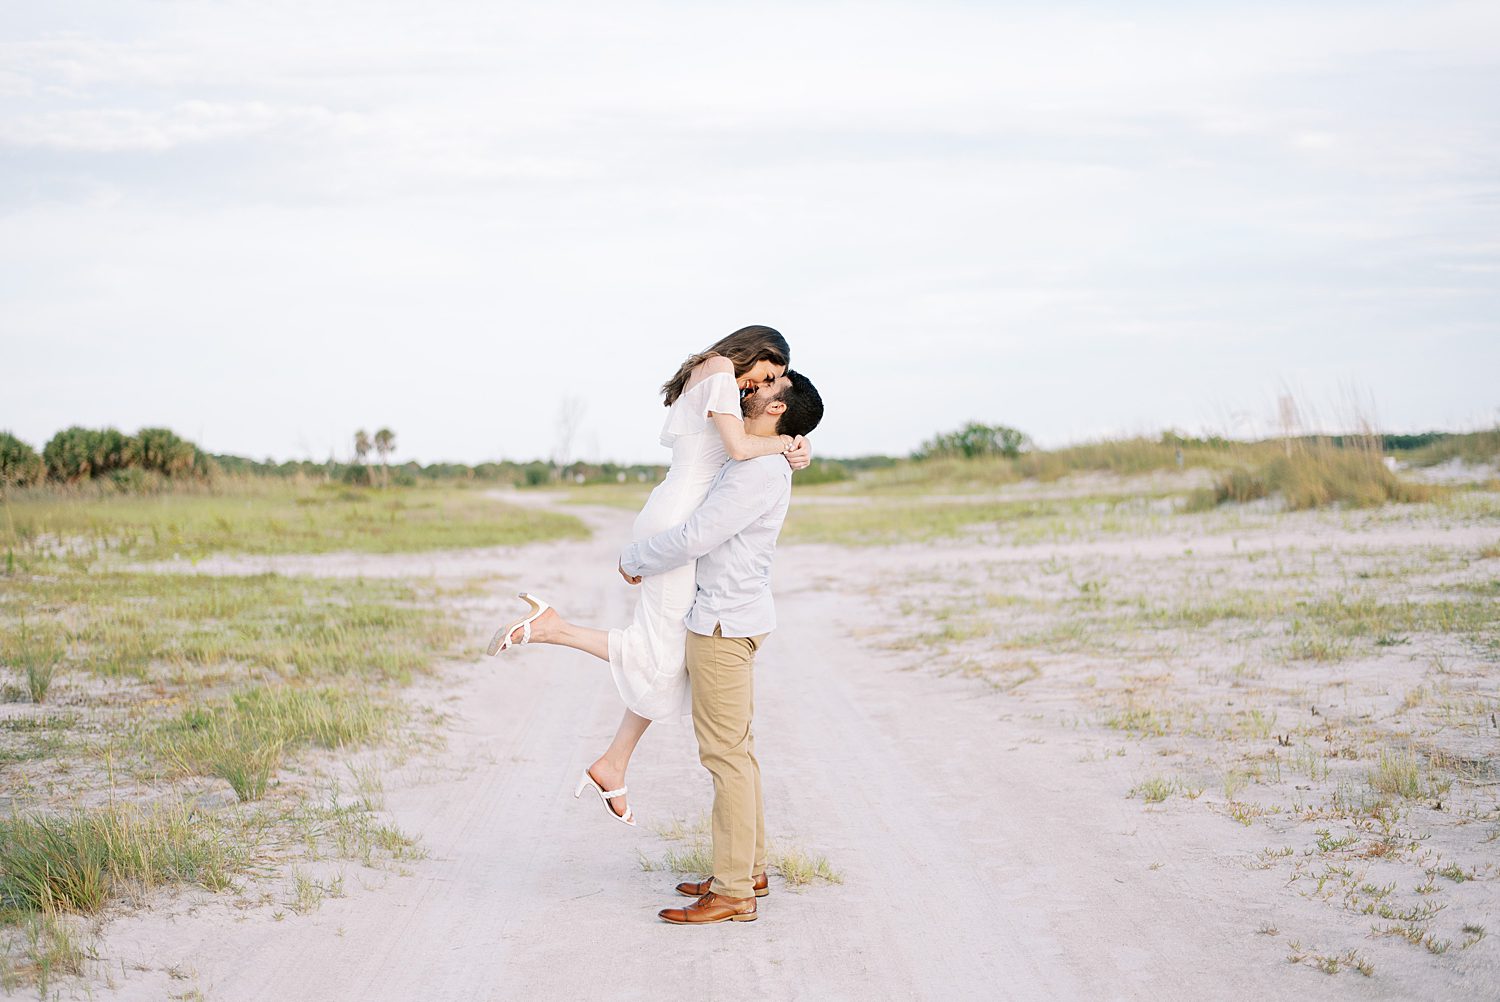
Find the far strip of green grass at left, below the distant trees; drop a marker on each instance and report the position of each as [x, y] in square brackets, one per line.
[275, 518]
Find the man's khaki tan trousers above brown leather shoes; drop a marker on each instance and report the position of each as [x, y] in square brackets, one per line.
[721, 670]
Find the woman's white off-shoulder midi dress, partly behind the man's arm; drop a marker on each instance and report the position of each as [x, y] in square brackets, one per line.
[647, 658]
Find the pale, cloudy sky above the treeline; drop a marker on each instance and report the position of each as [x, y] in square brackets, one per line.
[266, 224]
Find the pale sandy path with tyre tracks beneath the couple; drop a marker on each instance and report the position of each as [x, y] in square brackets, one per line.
[980, 859]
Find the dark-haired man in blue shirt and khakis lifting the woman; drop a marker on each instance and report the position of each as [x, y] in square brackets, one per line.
[733, 538]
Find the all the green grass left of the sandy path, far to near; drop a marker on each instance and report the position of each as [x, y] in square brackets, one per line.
[307, 662]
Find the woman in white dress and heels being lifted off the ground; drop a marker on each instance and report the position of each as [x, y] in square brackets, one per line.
[704, 430]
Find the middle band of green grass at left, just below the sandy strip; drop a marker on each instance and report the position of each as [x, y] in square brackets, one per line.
[124, 625]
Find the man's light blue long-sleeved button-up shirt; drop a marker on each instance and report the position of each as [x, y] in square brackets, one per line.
[733, 538]
